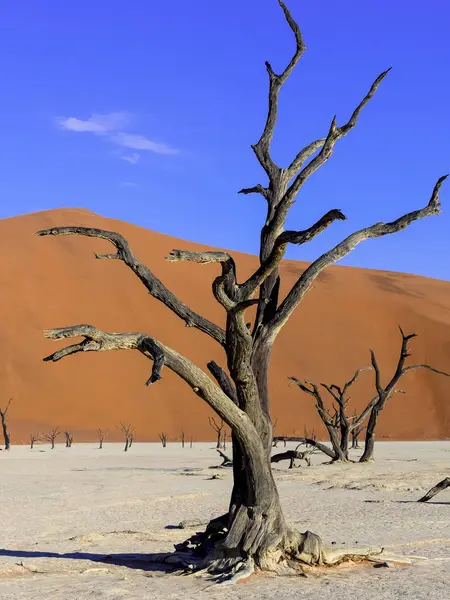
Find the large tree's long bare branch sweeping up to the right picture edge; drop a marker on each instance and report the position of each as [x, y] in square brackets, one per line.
[305, 281]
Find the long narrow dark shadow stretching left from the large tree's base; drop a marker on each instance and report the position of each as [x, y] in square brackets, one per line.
[143, 562]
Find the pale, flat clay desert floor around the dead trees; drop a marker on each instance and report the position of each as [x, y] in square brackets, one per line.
[62, 511]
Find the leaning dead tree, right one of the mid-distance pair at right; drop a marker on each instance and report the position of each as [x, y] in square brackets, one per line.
[383, 393]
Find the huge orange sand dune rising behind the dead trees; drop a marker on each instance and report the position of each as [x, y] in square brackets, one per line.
[55, 282]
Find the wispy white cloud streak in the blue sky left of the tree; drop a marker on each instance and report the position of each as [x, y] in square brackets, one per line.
[111, 126]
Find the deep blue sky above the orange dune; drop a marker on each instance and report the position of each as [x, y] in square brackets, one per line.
[145, 111]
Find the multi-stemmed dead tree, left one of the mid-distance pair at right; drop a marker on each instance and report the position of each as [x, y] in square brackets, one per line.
[337, 423]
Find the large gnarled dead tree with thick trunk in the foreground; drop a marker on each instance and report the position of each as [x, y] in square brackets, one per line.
[254, 530]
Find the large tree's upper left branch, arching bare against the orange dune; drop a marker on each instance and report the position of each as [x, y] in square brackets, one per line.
[155, 287]
